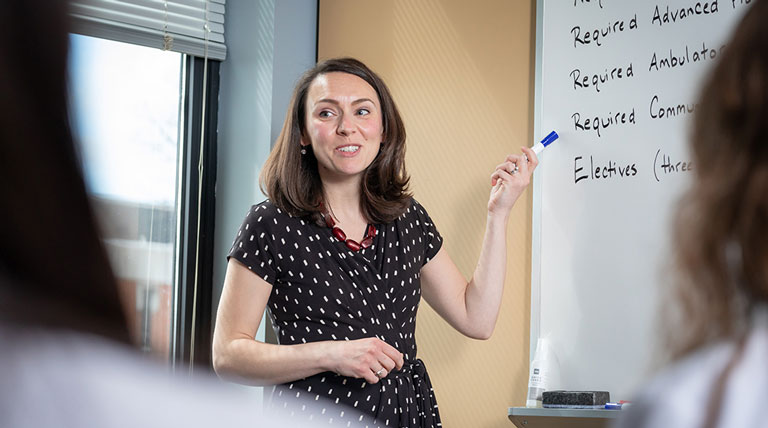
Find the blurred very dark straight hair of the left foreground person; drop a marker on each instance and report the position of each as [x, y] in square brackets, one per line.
[54, 271]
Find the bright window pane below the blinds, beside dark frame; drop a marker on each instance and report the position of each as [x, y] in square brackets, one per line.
[127, 104]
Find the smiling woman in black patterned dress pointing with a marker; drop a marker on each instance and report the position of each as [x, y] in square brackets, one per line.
[341, 254]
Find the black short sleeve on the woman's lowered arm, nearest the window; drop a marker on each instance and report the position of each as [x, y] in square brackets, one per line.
[253, 246]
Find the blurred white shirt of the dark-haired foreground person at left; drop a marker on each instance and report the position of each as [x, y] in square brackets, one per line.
[67, 379]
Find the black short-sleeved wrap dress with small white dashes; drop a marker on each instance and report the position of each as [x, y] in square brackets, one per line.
[321, 290]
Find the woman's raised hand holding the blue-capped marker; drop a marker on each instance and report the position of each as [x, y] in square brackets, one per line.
[510, 179]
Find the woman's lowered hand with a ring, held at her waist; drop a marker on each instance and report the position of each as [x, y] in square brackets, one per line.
[371, 358]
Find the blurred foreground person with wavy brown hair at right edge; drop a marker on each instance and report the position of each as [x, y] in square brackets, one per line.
[721, 334]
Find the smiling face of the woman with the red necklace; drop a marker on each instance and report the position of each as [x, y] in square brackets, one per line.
[343, 125]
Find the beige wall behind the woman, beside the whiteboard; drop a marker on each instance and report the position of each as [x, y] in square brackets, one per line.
[462, 75]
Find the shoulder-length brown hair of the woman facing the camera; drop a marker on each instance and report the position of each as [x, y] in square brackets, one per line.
[291, 180]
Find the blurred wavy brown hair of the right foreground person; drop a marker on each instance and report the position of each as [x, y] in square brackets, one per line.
[722, 223]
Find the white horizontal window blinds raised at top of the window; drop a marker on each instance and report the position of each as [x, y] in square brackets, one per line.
[185, 26]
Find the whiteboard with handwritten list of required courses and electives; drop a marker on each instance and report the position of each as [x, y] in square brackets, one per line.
[617, 79]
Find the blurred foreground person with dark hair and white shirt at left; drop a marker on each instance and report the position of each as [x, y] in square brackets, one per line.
[65, 352]
